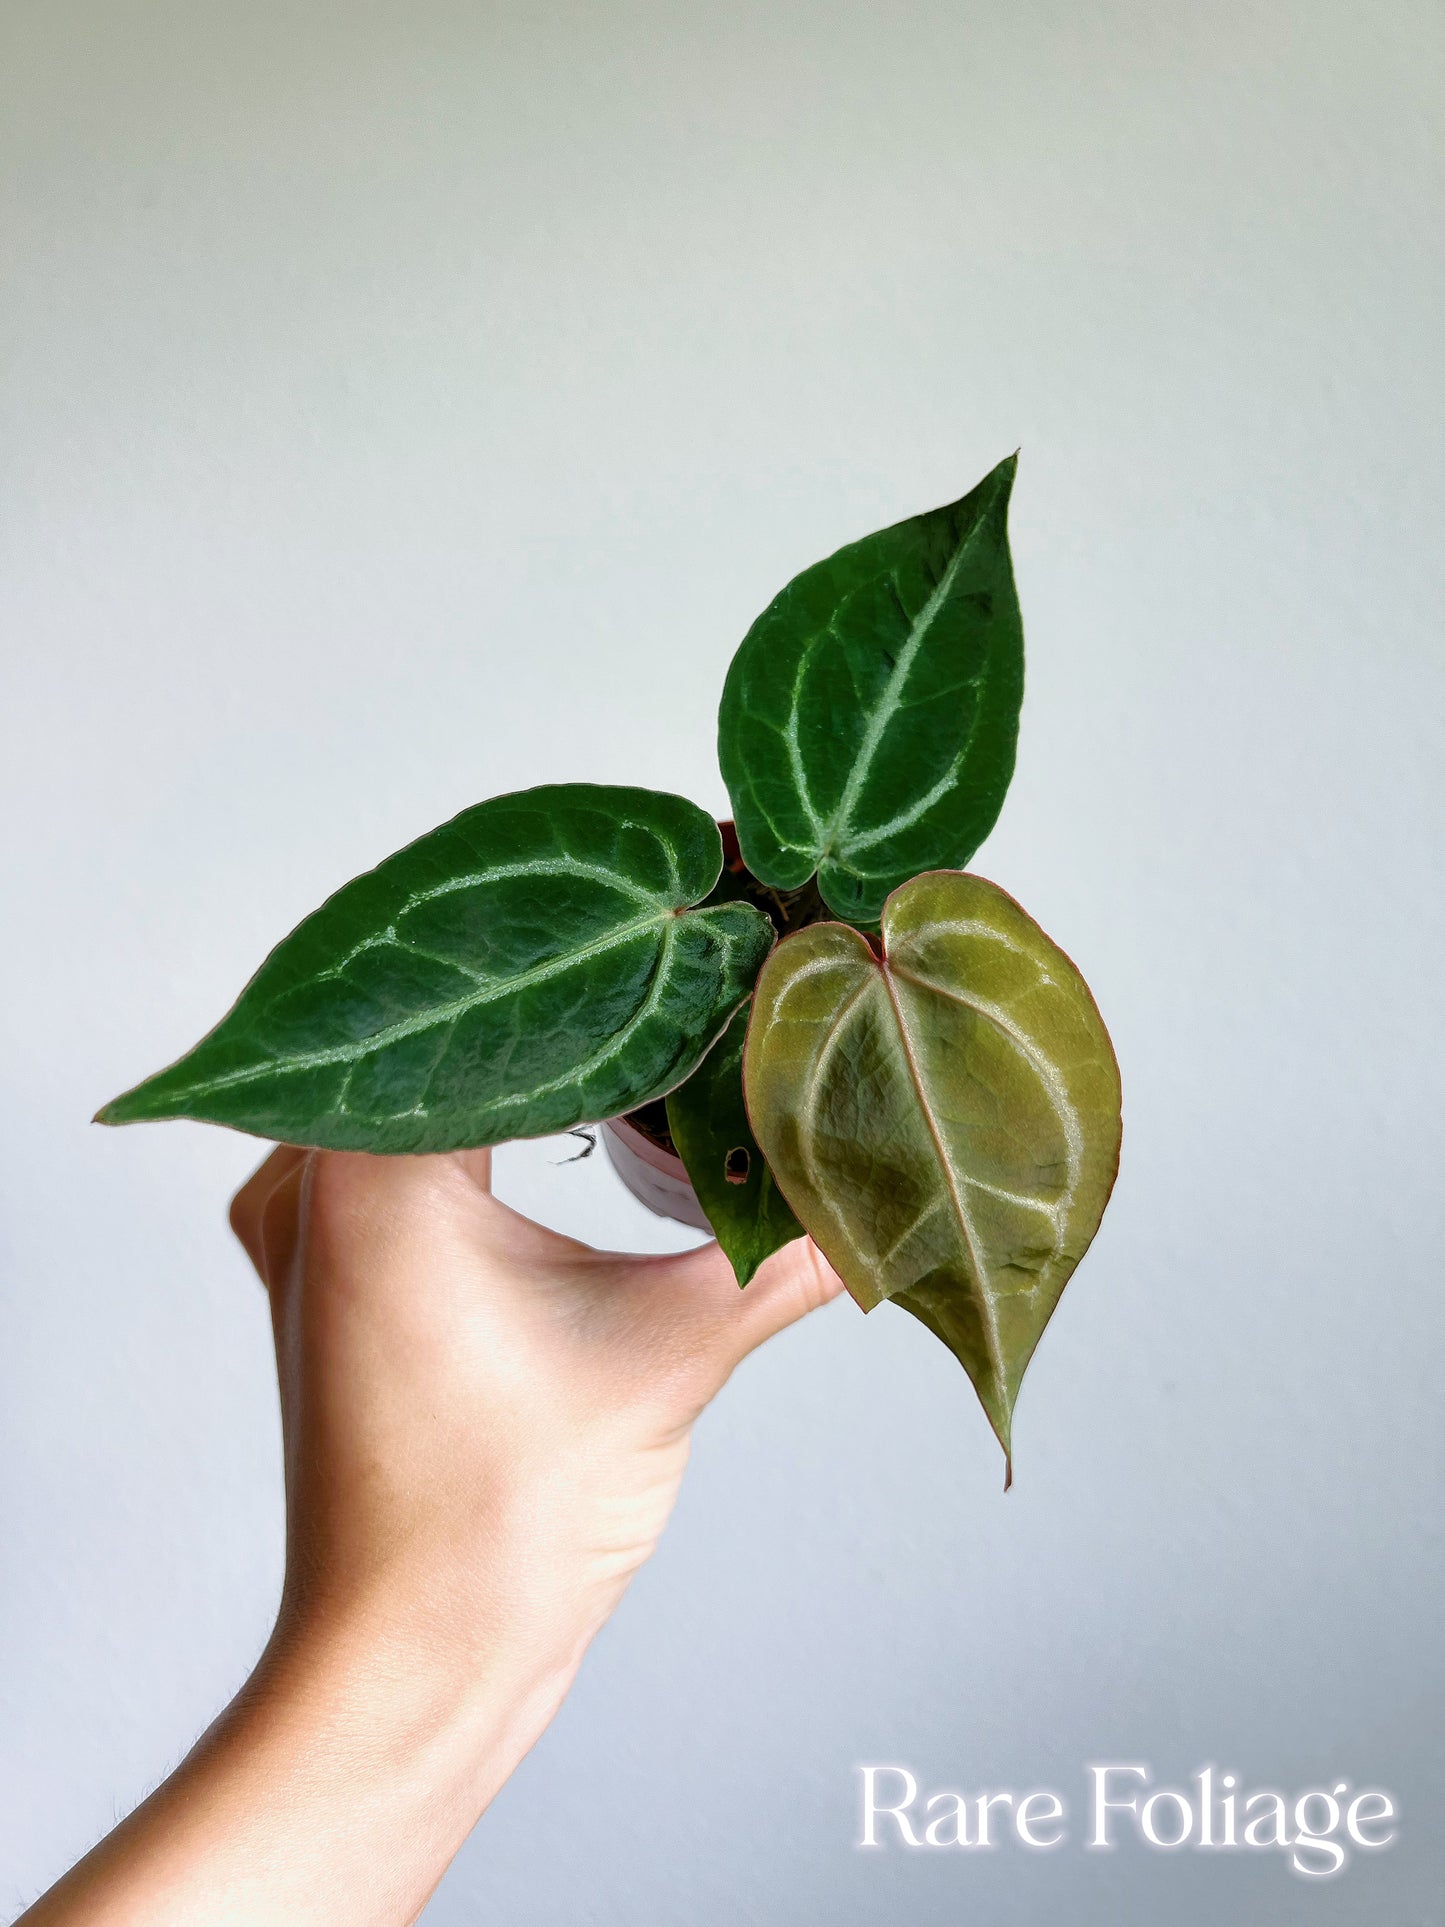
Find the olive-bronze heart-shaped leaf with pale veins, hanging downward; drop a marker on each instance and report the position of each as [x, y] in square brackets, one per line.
[945, 1119]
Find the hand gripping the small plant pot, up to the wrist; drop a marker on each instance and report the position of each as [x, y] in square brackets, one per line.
[485, 1421]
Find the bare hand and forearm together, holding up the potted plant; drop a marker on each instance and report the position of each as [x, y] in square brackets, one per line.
[485, 1433]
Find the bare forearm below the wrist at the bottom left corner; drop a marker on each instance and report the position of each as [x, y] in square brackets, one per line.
[334, 1789]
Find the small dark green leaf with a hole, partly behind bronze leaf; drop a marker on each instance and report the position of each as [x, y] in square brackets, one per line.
[735, 1186]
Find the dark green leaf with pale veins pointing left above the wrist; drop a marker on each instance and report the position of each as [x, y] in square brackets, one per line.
[529, 966]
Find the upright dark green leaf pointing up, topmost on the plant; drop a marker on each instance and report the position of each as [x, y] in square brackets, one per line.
[872, 712]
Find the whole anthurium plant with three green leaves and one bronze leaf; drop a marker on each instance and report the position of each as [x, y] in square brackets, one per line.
[822, 1013]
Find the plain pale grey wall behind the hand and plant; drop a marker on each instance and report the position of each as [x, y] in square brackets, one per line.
[406, 404]
